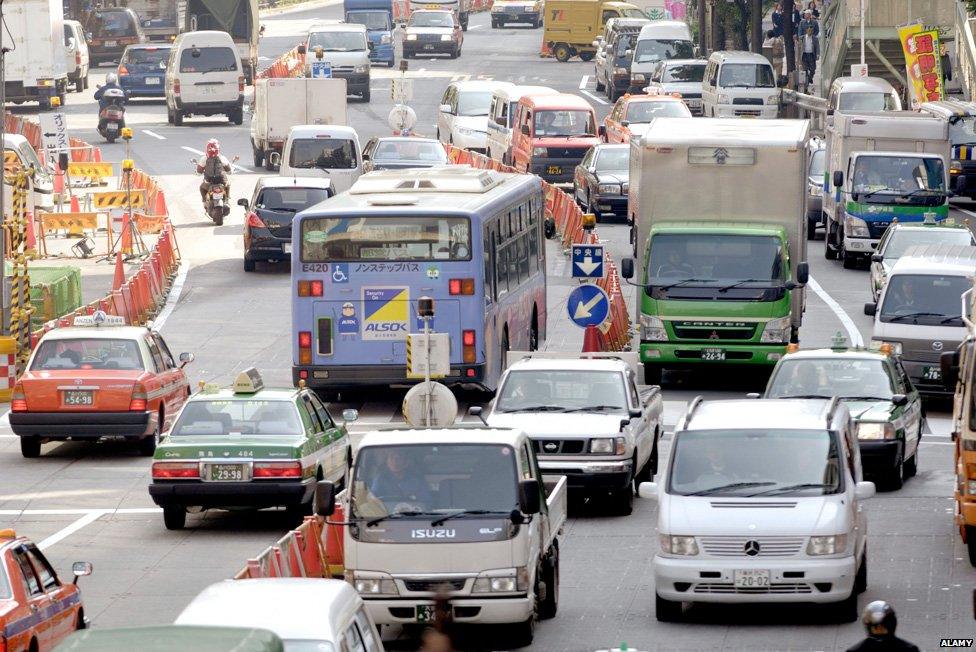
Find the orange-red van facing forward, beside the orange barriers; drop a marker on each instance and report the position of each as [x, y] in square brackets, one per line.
[551, 134]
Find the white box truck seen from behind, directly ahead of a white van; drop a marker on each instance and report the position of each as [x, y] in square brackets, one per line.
[280, 104]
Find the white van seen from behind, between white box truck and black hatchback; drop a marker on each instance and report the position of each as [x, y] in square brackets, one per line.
[328, 151]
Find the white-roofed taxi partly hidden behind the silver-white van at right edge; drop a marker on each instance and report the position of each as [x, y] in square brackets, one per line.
[900, 236]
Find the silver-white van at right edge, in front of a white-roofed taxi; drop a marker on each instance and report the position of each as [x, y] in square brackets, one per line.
[919, 312]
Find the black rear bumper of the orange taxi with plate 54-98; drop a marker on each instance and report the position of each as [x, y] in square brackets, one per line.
[82, 425]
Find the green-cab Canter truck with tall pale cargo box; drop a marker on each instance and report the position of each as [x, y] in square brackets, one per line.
[718, 224]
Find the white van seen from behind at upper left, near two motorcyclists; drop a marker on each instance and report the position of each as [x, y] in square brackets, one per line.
[204, 77]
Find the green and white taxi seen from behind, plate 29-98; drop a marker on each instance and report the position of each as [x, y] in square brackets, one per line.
[248, 447]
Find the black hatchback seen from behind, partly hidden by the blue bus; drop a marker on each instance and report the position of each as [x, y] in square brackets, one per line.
[276, 200]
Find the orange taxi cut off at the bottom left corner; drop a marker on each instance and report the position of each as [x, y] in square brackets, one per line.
[37, 610]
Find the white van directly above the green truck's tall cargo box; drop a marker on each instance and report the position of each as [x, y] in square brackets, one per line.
[739, 84]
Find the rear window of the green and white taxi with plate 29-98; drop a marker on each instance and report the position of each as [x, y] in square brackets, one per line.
[238, 417]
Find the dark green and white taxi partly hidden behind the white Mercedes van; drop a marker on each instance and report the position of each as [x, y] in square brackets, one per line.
[885, 406]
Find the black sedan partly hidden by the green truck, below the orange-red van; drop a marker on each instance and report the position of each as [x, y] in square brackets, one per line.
[600, 182]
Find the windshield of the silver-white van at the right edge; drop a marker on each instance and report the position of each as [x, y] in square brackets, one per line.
[929, 299]
